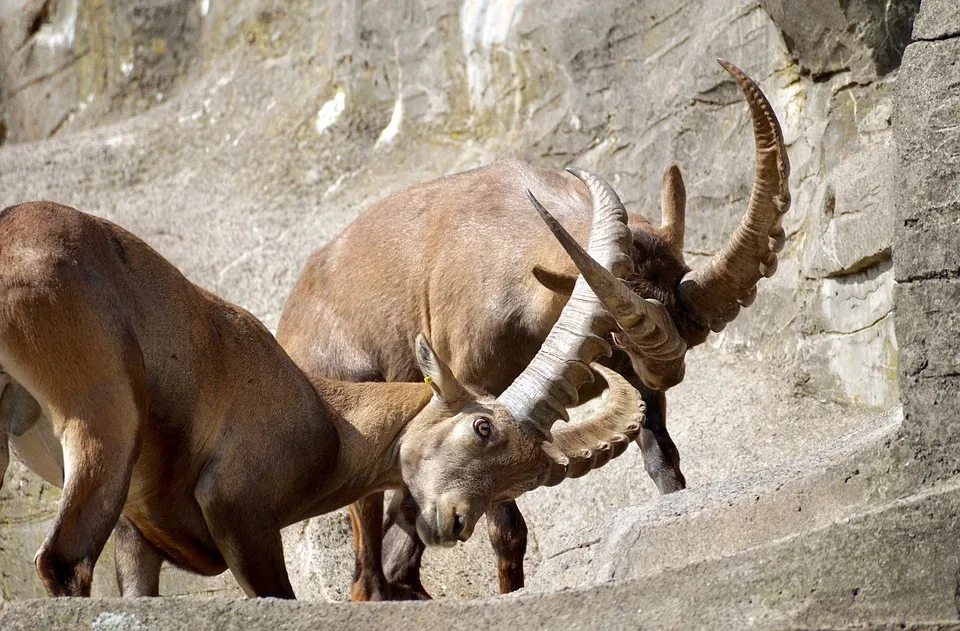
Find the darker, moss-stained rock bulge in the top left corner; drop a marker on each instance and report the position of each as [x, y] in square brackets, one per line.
[69, 64]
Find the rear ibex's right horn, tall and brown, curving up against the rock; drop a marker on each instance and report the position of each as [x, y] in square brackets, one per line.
[718, 290]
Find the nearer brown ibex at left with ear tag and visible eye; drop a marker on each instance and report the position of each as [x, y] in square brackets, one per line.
[176, 418]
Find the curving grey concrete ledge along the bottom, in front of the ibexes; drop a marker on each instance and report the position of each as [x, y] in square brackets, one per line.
[892, 566]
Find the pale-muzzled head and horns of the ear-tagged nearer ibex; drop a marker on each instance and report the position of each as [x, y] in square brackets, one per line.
[465, 451]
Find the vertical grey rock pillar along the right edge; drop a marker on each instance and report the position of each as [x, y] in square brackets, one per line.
[927, 239]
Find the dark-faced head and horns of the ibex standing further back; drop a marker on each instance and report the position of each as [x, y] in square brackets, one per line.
[656, 333]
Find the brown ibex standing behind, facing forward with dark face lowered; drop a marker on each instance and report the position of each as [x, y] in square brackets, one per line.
[462, 260]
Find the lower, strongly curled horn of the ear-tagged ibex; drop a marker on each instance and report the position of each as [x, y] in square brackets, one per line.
[581, 448]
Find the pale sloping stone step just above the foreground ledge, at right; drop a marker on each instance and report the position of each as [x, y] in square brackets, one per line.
[731, 517]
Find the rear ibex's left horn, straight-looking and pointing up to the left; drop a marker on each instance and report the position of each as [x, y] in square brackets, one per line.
[646, 323]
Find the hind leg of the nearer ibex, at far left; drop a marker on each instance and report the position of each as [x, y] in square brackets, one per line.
[95, 394]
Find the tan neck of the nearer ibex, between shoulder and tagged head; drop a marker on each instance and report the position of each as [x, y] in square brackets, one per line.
[370, 419]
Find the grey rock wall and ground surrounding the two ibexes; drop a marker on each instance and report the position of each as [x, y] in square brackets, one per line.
[277, 124]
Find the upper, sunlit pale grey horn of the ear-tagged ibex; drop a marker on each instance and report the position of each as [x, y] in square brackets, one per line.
[549, 384]
